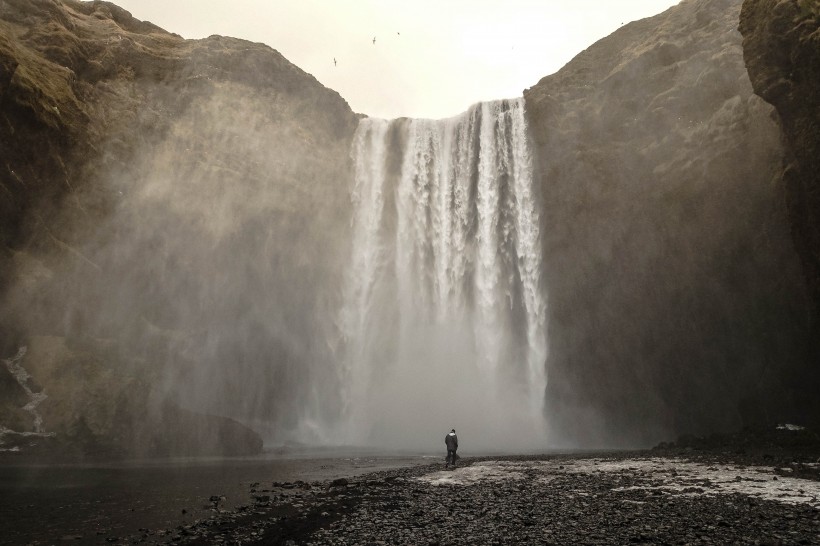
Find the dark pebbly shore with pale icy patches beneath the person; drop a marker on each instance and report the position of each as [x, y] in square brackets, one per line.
[698, 491]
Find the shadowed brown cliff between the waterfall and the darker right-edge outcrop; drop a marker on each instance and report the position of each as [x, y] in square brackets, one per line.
[676, 303]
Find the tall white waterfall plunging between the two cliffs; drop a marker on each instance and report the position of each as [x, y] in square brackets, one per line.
[444, 317]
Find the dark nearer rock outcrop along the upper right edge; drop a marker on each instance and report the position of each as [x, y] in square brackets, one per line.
[781, 46]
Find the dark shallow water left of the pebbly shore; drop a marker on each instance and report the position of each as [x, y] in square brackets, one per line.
[94, 503]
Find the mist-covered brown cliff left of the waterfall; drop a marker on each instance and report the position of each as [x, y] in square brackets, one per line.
[151, 190]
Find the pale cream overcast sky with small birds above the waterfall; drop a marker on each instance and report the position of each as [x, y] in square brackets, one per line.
[432, 58]
